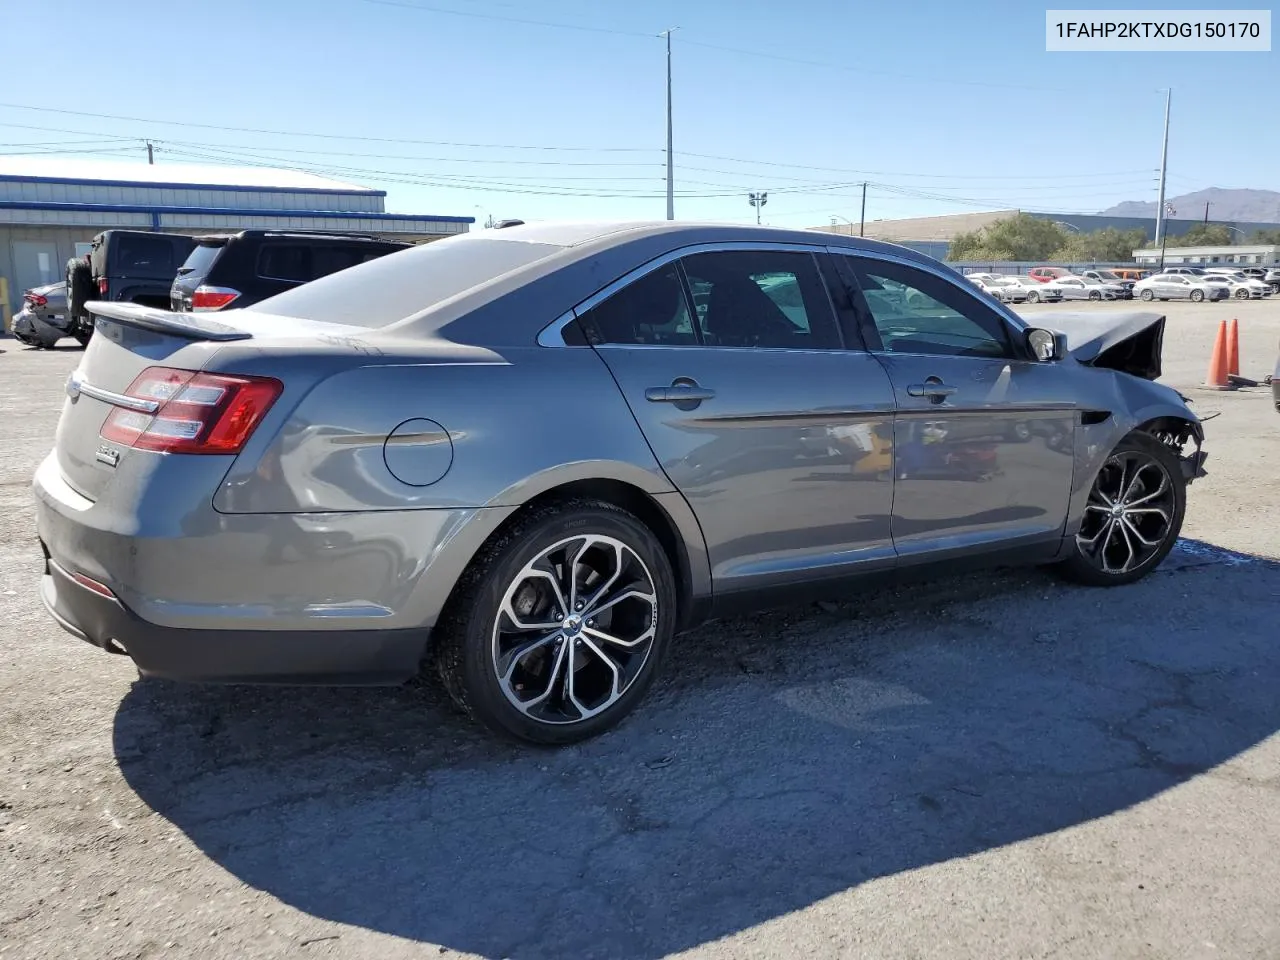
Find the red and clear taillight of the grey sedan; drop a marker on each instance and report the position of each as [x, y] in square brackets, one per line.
[195, 413]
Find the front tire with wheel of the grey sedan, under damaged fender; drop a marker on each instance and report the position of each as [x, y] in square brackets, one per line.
[1099, 556]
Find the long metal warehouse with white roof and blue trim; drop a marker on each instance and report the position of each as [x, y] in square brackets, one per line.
[51, 208]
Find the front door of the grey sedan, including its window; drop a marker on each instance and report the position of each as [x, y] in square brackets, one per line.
[984, 435]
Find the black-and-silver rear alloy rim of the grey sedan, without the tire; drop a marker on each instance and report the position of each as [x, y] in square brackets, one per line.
[575, 629]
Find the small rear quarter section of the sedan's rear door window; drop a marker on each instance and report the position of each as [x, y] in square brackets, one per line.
[652, 312]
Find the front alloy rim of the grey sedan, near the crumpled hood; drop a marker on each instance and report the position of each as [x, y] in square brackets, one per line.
[1130, 514]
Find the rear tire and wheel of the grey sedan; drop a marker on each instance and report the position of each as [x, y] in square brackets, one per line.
[477, 636]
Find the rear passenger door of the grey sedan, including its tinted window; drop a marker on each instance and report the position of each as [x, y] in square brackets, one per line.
[779, 438]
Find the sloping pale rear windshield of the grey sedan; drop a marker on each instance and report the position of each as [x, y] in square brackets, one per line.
[394, 287]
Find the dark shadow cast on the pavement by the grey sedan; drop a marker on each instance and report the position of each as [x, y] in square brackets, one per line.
[790, 757]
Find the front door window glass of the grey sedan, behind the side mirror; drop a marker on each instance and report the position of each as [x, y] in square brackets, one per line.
[916, 312]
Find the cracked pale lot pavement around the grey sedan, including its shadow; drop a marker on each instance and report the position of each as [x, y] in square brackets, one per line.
[996, 766]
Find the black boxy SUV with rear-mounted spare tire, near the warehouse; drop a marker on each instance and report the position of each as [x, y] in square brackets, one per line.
[126, 266]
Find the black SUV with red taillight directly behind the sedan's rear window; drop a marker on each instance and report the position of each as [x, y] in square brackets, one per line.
[241, 269]
